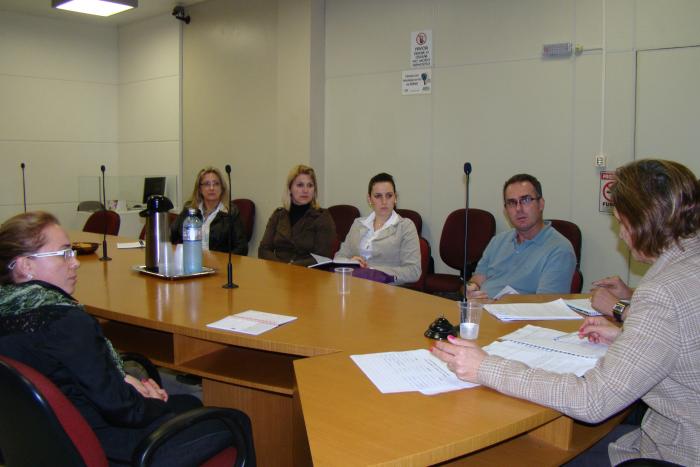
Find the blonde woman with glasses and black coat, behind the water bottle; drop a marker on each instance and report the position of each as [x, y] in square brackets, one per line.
[211, 196]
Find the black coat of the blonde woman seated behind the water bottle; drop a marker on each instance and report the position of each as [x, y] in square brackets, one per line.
[219, 230]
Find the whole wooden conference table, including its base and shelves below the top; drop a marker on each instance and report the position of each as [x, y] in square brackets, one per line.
[309, 403]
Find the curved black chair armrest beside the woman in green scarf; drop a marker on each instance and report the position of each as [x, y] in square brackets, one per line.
[148, 446]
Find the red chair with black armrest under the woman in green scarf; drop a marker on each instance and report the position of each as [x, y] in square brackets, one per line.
[40, 426]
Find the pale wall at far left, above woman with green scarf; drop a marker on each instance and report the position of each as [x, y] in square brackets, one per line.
[58, 95]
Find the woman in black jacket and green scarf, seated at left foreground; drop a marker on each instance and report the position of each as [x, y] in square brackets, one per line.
[43, 326]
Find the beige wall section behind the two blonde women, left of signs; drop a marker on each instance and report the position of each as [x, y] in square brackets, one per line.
[247, 71]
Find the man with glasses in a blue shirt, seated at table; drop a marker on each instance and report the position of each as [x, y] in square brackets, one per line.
[530, 258]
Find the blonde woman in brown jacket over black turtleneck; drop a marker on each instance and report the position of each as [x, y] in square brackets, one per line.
[301, 227]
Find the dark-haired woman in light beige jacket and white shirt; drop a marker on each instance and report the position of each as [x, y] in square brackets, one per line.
[383, 241]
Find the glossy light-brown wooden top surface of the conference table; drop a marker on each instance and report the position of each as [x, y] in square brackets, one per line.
[348, 421]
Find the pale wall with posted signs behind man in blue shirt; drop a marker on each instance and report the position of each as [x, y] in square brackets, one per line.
[495, 102]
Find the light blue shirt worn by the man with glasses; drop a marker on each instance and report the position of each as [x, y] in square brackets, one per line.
[544, 264]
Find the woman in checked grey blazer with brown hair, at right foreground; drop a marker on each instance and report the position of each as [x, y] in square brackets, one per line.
[654, 355]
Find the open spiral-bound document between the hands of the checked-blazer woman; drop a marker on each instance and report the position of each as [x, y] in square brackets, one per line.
[548, 349]
